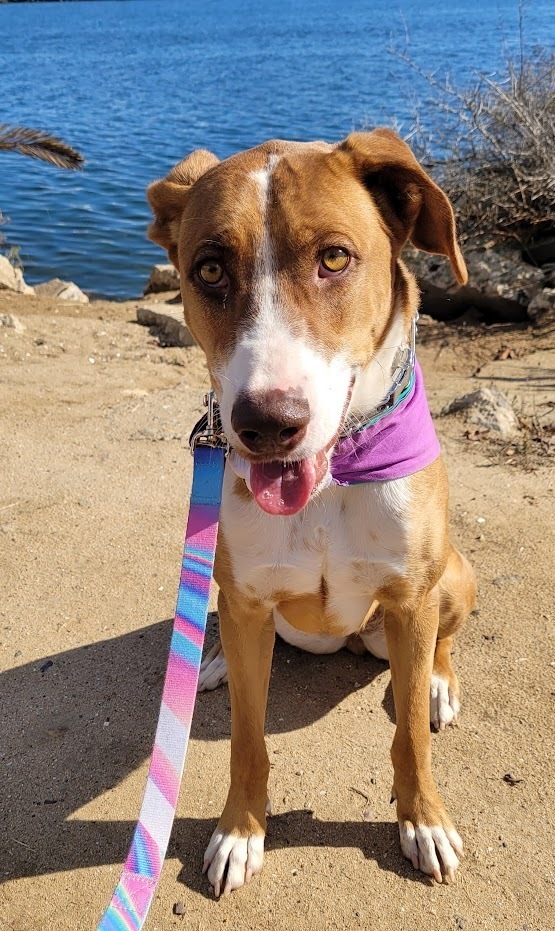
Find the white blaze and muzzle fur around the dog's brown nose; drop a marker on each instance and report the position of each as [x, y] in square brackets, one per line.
[268, 355]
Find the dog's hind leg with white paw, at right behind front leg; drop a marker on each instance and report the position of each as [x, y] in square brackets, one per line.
[457, 596]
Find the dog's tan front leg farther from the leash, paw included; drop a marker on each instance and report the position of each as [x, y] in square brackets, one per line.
[428, 837]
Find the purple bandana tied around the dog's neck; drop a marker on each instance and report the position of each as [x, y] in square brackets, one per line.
[401, 443]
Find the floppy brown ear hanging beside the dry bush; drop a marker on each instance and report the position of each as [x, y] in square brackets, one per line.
[411, 204]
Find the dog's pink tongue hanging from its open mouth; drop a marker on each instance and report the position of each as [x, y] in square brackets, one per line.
[283, 487]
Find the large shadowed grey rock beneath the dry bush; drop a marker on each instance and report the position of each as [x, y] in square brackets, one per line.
[501, 284]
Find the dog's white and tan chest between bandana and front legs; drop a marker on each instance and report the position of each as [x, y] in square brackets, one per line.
[329, 559]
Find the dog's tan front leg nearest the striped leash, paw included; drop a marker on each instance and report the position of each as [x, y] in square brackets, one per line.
[236, 849]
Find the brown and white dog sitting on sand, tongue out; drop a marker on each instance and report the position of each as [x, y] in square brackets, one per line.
[293, 285]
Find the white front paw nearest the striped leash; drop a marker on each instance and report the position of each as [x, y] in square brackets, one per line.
[242, 856]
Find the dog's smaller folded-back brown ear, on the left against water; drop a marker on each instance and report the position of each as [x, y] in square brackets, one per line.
[167, 198]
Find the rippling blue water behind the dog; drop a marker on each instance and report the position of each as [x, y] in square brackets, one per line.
[136, 85]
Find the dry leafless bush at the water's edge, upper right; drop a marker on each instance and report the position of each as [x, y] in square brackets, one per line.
[492, 146]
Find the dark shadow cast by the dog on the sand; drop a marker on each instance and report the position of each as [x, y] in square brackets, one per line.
[77, 723]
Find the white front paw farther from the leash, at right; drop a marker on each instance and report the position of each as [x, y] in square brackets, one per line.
[431, 849]
